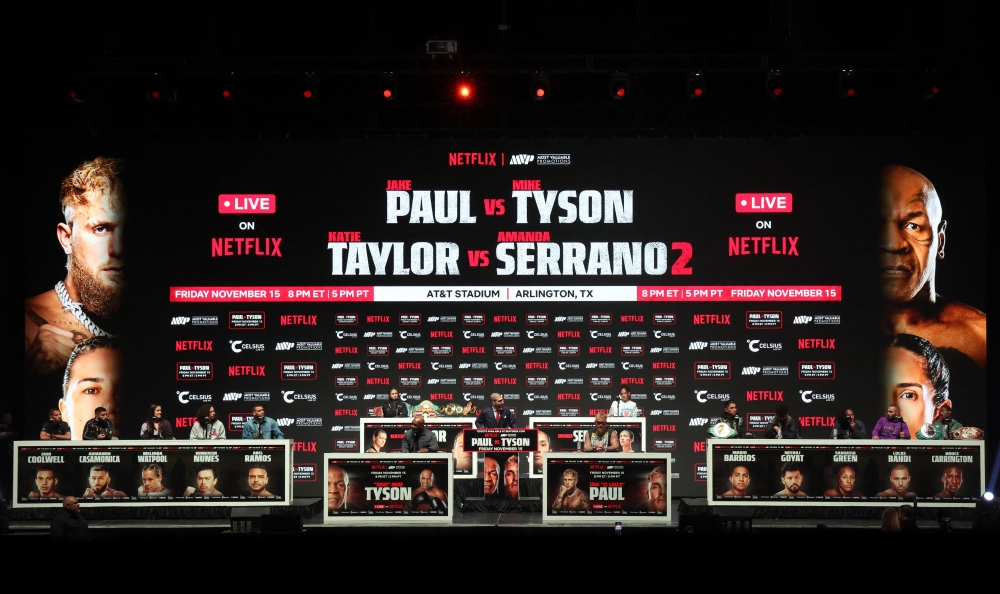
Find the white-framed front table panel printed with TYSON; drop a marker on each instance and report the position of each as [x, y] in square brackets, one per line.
[388, 488]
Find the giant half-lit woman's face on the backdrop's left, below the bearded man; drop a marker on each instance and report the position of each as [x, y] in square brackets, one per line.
[91, 381]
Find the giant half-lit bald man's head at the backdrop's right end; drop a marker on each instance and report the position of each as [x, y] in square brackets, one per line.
[912, 236]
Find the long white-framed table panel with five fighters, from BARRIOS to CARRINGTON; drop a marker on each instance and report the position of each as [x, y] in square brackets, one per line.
[845, 472]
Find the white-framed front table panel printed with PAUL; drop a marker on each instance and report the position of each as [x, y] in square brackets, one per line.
[580, 487]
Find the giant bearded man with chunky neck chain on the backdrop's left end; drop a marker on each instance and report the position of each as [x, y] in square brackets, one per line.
[83, 304]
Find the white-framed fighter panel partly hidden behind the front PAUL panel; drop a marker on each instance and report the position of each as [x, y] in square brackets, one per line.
[578, 434]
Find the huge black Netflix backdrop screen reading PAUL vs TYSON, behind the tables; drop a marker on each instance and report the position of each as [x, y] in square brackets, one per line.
[204, 279]
